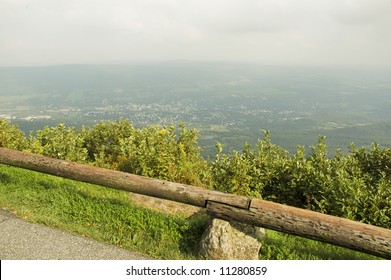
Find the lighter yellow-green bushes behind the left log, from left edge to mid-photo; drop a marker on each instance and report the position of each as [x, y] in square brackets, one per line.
[159, 152]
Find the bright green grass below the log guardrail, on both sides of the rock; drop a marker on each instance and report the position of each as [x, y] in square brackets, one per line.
[108, 215]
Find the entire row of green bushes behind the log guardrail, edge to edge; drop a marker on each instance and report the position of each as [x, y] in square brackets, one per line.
[355, 186]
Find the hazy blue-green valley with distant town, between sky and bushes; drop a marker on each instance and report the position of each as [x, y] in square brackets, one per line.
[227, 102]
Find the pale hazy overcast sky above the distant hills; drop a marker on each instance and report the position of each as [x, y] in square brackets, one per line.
[44, 32]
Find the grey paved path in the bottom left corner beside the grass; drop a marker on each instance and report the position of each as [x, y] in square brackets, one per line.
[20, 240]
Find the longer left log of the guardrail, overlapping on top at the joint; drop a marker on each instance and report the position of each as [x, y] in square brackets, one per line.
[120, 180]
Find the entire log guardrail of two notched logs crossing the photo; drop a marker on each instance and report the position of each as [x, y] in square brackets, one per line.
[338, 231]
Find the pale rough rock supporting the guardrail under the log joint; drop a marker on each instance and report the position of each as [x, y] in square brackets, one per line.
[224, 240]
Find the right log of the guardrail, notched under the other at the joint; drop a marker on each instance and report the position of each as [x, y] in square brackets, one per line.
[338, 231]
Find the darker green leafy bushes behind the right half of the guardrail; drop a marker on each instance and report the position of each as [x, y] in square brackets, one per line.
[356, 186]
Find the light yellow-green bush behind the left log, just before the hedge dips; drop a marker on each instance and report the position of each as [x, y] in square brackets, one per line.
[161, 153]
